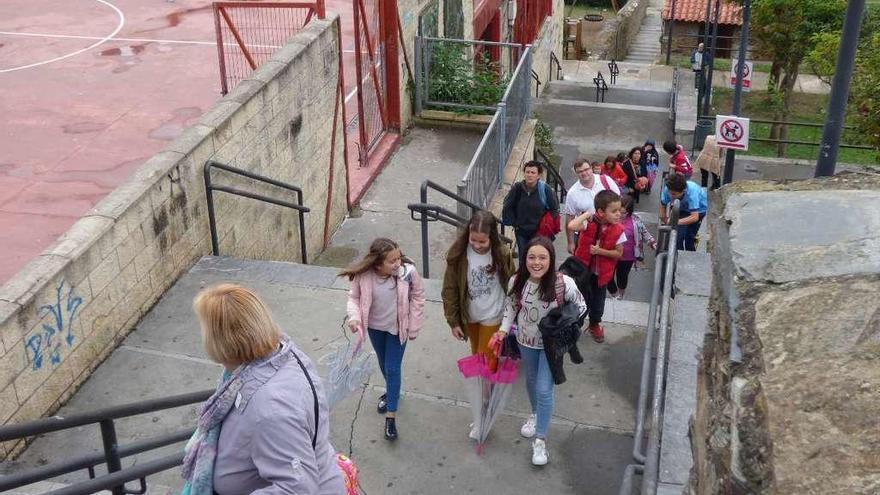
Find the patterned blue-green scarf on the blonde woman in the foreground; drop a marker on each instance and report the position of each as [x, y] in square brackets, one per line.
[201, 450]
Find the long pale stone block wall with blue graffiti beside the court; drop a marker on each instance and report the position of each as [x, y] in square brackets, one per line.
[67, 309]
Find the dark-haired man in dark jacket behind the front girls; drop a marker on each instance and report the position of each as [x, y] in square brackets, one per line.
[526, 203]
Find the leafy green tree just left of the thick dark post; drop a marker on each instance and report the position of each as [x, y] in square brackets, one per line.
[784, 30]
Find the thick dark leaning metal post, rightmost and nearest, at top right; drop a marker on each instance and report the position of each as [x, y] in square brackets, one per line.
[840, 89]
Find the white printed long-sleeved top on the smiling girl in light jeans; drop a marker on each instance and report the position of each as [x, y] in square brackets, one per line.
[533, 309]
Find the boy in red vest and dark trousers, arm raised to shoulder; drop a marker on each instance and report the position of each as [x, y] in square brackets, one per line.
[599, 247]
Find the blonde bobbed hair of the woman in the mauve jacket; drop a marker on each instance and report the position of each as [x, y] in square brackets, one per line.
[236, 325]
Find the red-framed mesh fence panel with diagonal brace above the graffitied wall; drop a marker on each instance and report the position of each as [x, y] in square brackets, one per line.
[248, 33]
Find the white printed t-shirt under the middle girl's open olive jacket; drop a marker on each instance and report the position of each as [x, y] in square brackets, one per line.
[485, 294]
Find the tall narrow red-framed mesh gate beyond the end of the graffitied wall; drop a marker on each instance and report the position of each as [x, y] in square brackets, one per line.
[369, 70]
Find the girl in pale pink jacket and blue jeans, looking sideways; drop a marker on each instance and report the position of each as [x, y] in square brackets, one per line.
[386, 298]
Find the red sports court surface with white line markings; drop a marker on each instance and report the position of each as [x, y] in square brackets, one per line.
[90, 89]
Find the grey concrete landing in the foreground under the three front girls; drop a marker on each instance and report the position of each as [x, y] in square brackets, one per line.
[590, 437]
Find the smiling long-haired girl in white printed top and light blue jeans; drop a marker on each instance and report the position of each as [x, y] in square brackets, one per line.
[537, 288]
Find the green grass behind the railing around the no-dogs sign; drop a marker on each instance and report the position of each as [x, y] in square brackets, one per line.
[805, 108]
